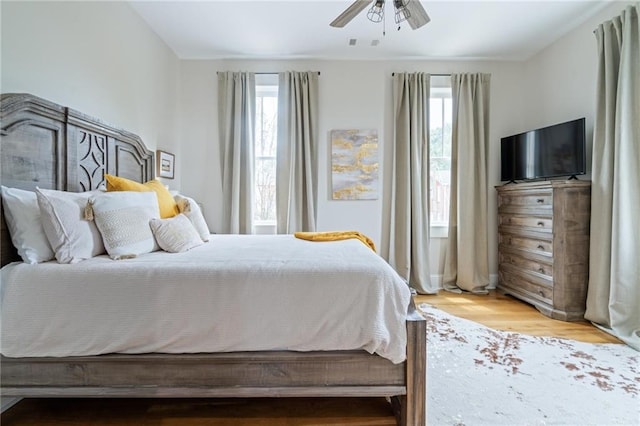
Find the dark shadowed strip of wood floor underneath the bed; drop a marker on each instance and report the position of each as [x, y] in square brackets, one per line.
[200, 412]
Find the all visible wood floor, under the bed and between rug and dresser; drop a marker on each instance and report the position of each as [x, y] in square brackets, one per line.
[494, 310]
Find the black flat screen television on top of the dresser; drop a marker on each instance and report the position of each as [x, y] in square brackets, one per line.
[552, 151]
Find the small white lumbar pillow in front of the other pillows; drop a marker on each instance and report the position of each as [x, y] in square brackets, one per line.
[175, 234]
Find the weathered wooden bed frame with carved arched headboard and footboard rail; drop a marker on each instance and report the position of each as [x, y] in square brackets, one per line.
[47, 145]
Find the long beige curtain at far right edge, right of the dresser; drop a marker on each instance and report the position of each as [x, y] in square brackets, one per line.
[613, 299]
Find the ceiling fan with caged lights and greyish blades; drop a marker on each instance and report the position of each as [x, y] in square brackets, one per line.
[405, 10]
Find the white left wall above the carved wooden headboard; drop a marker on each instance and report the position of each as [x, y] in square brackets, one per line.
[99, 58]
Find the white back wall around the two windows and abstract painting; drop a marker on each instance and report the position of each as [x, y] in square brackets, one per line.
[353, 94]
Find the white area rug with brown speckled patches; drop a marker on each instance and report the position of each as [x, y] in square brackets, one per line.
[480, 376]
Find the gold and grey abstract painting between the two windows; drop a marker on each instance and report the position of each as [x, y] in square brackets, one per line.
[354, 164]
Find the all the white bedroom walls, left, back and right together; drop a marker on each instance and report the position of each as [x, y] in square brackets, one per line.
[102, 59]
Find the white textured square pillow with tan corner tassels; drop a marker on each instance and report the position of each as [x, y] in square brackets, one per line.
[123, 220]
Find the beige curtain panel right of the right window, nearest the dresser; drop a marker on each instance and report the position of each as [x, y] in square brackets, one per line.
[466, 258]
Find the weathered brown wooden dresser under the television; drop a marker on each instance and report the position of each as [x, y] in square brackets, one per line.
[543, 247]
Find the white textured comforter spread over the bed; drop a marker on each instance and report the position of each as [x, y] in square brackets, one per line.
[235, 293]
